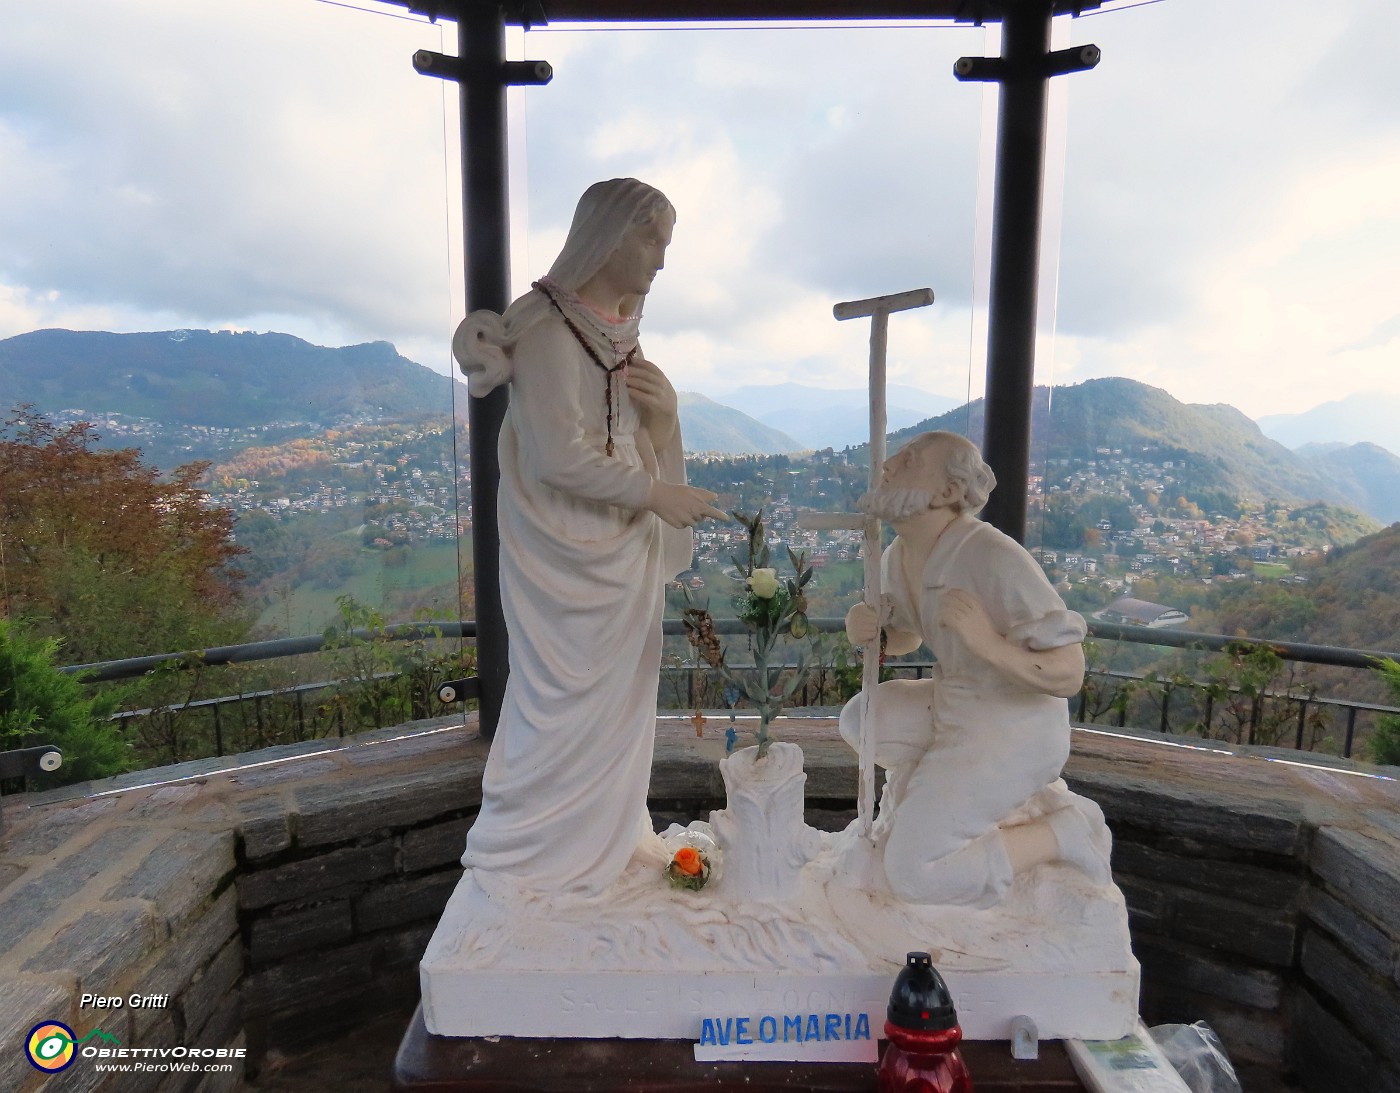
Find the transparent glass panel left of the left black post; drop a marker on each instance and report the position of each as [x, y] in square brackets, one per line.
[227, 240]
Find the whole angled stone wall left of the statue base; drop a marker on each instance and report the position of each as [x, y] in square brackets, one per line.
[275, 898]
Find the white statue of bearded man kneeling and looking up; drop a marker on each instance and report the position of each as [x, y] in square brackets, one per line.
[974, 794]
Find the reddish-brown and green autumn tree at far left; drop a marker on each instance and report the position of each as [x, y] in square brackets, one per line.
[103, 553]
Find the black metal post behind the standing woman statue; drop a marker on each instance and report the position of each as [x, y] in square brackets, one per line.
[486, 227]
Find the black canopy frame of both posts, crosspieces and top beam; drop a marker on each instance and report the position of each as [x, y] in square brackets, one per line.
[1024, 71]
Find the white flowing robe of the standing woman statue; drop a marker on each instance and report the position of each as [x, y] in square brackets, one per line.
[583, 587]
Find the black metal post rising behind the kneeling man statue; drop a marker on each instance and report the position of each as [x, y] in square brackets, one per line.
[1016, 261]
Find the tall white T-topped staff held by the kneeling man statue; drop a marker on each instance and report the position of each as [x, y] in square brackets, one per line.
[880, 310]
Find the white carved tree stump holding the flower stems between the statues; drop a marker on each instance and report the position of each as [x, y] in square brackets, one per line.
[762, 829]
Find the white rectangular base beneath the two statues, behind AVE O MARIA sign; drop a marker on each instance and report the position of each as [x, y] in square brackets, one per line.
[653, 962]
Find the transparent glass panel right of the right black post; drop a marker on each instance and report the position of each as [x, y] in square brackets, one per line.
[1228, 222]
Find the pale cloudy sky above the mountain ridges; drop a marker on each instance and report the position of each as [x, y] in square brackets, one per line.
[1228, 230]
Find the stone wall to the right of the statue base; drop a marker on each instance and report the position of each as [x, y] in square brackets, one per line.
[1263, 898]
